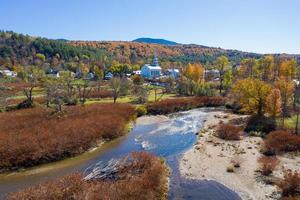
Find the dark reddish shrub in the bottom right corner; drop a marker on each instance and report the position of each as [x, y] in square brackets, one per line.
[290, 185]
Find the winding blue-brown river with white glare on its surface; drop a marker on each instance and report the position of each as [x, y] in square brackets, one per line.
[165, 136]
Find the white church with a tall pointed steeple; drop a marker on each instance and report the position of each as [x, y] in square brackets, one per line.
[151, 71]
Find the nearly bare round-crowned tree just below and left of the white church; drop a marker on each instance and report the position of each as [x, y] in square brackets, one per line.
[119, 86]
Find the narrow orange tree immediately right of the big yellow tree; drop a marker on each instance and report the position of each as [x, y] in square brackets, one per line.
[274, 103]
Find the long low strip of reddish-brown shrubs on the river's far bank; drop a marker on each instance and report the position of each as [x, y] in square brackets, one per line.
[174, 105]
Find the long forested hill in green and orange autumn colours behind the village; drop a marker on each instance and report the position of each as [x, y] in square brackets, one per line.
[23, 49]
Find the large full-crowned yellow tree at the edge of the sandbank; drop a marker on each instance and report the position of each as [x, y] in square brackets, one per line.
[252, 95]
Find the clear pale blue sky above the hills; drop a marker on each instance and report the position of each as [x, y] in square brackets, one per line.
[262, 26]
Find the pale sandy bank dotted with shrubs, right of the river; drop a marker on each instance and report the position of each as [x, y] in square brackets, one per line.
[210, 157]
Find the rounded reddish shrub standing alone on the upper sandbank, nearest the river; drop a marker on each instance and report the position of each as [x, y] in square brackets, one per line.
[229, 132]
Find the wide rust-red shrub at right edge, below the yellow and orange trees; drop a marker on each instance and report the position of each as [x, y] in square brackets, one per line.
[282, 141]
